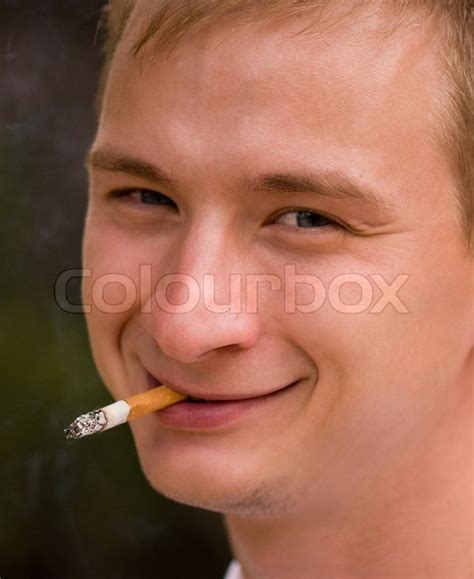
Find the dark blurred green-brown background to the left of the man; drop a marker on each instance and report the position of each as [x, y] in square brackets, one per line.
[80, 510]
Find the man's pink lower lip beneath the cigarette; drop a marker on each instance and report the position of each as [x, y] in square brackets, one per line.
[210, 415]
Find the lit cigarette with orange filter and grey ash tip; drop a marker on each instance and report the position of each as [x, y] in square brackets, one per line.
[122, 411]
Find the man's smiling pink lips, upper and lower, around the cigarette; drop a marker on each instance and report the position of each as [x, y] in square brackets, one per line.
[220, 412]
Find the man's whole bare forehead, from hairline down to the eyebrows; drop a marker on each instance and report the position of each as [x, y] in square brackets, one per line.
[267, 92]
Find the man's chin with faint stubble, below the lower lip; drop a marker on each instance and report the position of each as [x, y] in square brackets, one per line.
[202, 471]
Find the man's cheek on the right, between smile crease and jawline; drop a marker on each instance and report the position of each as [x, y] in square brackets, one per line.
[381, 375]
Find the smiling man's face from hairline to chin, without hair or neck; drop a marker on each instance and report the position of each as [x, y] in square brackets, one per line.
[348, 112]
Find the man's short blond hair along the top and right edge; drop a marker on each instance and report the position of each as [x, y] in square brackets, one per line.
[169, 21]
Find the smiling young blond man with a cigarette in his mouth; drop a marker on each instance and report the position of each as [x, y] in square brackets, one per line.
[282, 189]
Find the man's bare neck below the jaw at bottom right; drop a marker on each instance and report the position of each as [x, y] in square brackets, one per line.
[414, 523]
